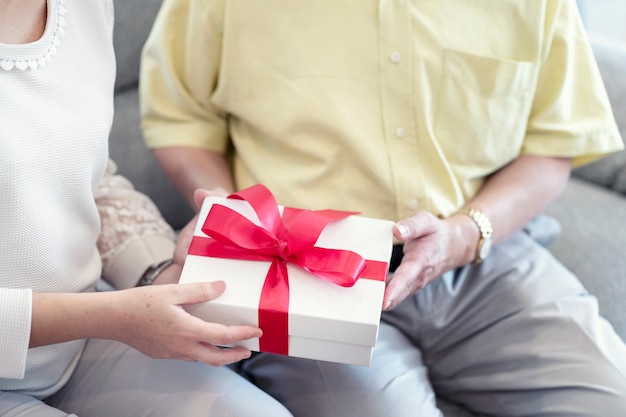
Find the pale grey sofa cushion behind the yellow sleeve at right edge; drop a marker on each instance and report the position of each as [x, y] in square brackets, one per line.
[610, 172]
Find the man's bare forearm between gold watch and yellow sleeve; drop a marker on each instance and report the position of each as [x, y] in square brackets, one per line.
[520, 191]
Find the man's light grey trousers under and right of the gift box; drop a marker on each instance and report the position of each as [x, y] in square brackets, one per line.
[517, 335]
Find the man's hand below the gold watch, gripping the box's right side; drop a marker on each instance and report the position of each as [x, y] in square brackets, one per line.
[432, 246]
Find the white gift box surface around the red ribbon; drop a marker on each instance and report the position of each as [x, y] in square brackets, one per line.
[325, 321]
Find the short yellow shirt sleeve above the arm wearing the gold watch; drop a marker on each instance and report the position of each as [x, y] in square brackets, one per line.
[571, 114]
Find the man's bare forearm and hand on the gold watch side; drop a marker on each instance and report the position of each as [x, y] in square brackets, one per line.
[433, 246]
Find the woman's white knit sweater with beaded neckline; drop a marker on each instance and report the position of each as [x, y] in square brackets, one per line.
[55, 114]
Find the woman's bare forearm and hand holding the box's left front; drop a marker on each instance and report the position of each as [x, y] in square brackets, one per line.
[151, 319]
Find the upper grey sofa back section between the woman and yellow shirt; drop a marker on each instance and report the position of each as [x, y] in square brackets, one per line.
[133, 21]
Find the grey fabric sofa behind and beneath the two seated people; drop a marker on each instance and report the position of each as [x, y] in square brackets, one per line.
[591, 212]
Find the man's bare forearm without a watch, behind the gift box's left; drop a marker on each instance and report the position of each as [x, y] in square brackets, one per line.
[192, 168]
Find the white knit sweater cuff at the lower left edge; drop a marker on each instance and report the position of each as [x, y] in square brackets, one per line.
[15, 322]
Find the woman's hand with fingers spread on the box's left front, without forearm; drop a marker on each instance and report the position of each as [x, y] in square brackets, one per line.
[153, 321]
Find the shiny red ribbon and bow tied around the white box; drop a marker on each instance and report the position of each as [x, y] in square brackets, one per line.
[280, 240]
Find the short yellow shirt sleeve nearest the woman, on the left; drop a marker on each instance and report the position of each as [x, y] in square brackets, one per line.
[178, 76]
